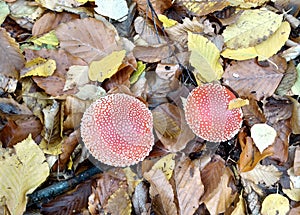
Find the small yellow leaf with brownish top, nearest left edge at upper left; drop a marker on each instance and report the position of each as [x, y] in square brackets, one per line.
[39, 67]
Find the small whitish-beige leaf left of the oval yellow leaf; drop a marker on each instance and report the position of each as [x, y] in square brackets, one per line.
[76, 76]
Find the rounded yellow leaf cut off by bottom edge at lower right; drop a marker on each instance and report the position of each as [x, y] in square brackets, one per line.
[275, 204]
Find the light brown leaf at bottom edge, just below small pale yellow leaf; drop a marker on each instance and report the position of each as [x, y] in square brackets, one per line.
[161, 192]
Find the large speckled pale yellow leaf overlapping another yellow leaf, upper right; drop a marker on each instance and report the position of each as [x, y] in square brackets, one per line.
[252, 28]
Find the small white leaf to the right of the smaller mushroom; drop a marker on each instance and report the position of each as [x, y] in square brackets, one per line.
[263, 135]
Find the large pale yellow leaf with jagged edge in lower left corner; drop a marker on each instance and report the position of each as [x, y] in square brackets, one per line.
[22, 171]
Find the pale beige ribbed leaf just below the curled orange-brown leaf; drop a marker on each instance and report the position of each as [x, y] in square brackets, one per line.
[268, 175]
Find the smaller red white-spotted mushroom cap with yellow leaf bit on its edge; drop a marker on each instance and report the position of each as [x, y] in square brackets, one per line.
[207, 113]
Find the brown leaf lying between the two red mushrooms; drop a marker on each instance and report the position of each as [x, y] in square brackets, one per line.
[170, 127]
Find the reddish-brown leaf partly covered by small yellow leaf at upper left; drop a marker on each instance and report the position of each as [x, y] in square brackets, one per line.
[54, 85]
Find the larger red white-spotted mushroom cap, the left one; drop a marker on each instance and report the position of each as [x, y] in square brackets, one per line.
[117, 130]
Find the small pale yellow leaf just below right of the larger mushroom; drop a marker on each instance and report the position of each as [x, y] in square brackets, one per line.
[166, 164]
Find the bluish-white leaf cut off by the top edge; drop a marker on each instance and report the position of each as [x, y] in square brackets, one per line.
[114, 9]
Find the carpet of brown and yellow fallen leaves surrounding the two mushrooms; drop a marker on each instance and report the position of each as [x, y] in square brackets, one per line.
[57, 57]
